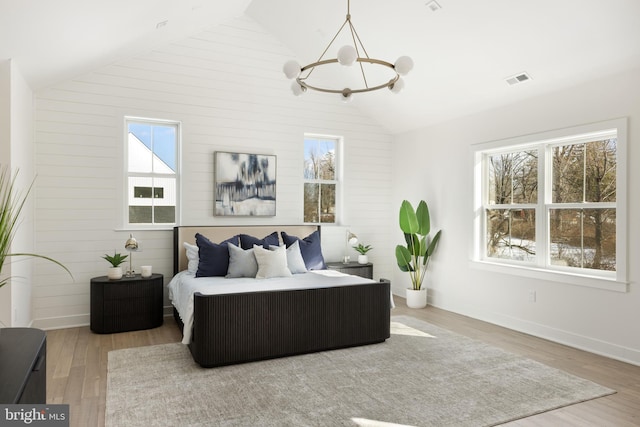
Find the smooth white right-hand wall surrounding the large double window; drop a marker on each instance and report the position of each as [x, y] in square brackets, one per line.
[601, 321]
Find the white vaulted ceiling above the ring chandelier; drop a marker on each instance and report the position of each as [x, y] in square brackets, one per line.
[462, 52]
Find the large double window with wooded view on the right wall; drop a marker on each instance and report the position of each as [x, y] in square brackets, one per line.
[554, 201]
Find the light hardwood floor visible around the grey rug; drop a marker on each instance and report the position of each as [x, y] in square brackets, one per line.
[77, 369]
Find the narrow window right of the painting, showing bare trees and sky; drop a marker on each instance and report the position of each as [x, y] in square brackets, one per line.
[320, 178]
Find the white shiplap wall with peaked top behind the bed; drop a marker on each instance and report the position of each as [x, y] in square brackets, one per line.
[226, 87]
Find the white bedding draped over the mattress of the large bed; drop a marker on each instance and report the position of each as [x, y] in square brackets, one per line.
[184, 284]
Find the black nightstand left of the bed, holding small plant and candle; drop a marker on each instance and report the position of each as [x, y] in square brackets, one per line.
[128, 304]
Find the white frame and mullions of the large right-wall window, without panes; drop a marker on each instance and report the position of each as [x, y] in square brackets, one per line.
[542, 268]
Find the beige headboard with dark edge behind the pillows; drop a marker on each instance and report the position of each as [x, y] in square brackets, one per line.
[218, 233]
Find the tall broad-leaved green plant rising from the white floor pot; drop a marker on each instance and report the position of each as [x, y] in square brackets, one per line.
[414, 257]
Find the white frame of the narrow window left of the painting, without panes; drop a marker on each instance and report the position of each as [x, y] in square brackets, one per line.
[128, 174]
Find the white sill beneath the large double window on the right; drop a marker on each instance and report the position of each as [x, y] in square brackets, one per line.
[553, 276]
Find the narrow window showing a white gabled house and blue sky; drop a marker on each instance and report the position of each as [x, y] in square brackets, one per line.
[152, 172]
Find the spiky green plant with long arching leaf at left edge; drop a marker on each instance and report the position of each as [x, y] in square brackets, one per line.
[11, 205]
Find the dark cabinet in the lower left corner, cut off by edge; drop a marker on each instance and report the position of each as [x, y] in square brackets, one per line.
[23, 366]
